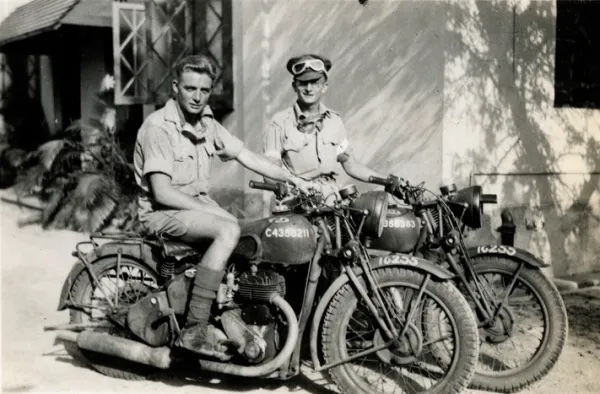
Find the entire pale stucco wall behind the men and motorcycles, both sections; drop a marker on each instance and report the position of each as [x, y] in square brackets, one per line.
[436, 91]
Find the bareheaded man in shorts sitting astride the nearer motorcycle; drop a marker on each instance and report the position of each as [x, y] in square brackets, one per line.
[172, 160]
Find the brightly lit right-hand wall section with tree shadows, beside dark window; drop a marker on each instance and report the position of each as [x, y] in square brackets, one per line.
[502, 131]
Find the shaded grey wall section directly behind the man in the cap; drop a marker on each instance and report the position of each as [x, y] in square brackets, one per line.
[386, 81]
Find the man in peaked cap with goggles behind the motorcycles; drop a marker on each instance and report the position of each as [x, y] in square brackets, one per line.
[308, 138]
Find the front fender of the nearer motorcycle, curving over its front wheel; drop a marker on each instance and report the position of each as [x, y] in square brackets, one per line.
[398, 260]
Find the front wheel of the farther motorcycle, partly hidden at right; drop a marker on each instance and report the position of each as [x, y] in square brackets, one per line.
[525, 340]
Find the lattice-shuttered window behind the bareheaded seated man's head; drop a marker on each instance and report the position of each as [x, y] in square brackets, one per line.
[150, 37]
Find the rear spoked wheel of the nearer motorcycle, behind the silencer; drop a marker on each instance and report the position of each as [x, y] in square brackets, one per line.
[127, 286]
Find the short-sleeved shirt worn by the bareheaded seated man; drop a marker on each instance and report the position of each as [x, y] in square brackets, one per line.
[166, 143]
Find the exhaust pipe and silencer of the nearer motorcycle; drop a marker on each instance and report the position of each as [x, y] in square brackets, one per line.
[161, 357]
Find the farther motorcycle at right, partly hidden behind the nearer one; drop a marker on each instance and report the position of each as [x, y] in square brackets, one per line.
[521, 315]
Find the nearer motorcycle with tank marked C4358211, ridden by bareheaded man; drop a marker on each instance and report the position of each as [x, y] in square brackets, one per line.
[377, 325]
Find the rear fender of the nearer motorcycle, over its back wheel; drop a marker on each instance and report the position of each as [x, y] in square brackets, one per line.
[136, 251]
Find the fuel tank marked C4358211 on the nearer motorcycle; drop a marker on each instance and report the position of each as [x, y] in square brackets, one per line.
[287, 239]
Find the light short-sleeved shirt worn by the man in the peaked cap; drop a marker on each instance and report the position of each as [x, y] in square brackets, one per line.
[308, 147]
